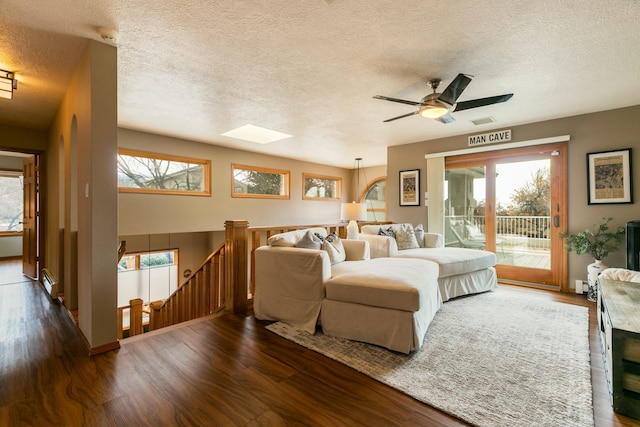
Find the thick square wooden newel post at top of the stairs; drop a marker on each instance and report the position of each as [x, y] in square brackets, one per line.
[237, 265]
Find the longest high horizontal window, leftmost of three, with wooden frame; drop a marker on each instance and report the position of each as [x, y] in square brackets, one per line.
[142, 172]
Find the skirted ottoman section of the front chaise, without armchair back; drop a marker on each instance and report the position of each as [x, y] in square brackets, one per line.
[384, 301]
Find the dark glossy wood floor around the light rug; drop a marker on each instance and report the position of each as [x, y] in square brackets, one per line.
[226, 371]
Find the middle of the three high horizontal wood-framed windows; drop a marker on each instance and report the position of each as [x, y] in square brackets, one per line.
[252, 181]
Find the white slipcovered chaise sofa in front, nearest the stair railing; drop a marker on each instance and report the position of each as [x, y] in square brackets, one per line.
[384, 301]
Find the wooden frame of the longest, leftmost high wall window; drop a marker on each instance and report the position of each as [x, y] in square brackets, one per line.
[206, 173]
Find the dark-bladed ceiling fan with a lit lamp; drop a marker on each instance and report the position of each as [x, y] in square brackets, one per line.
[438, 105]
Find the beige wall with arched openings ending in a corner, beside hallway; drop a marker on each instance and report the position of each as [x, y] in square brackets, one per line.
[86, 126]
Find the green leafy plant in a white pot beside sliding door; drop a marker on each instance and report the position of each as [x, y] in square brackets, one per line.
[598, 243]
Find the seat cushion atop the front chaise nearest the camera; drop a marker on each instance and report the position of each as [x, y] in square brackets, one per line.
[382, 282]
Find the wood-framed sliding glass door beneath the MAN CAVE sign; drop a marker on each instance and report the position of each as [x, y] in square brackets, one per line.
[511, 202]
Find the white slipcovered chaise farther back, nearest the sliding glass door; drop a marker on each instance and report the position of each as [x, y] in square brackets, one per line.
[462, 271]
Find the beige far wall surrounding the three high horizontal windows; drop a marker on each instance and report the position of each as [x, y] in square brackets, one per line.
[153, 214]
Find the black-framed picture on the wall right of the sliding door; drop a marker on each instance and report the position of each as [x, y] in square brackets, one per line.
[609, 177]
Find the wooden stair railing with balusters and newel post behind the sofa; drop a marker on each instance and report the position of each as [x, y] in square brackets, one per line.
[225, 281]
